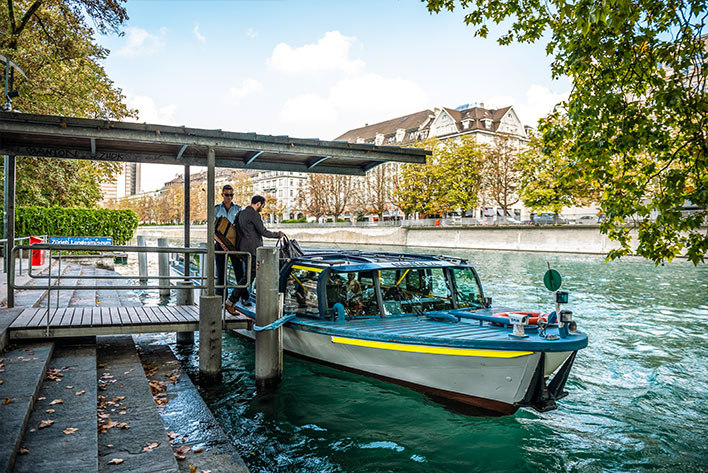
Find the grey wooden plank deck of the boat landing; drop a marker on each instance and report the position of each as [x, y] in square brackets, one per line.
[91, 321]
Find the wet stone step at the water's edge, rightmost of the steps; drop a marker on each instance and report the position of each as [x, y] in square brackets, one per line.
[185, 414]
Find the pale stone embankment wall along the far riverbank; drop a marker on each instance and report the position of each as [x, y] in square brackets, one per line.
[563, 239]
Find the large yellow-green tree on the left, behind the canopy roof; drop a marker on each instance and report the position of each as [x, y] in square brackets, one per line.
[52, 42]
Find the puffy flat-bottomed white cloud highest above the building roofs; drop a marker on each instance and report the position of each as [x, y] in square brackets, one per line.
[331, 52]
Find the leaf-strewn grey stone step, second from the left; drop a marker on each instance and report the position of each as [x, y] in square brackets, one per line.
[68, 398]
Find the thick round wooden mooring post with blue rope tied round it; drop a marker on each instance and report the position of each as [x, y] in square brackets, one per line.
[269, 343]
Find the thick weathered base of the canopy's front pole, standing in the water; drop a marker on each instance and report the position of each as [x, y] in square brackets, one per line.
[210, 336]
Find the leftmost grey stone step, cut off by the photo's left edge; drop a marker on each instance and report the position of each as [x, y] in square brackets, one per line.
[22, 372]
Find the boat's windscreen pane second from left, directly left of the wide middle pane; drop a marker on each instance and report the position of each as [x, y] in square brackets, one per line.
[355, 291]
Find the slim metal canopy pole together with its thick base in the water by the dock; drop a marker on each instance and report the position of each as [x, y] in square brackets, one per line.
[210, 305]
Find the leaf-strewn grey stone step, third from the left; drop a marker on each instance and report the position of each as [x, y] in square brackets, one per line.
[129, 423]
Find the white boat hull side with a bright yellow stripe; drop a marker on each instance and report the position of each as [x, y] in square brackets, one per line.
[491, 379]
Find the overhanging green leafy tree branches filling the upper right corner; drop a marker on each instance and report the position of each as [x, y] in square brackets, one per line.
[634, 126]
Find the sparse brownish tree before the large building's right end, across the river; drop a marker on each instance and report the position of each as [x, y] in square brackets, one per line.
[500, 174]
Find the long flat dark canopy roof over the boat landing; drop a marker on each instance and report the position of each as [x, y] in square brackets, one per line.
[24, 134]
